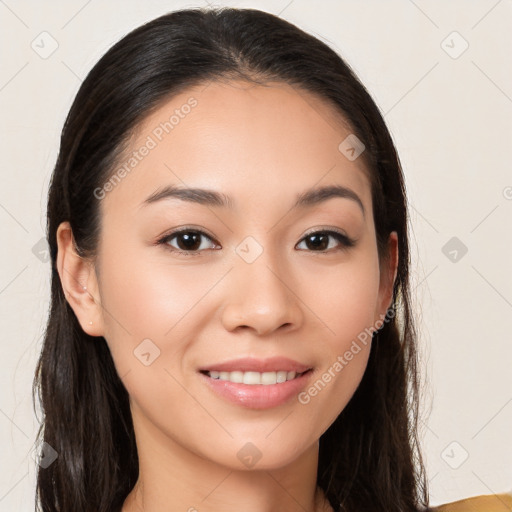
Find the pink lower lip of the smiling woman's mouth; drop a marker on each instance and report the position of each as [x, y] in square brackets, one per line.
[257, 396]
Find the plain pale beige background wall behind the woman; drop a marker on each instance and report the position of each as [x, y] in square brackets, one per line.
[449, 109]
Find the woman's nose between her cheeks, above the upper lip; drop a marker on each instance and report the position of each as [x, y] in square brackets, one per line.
[261, 297]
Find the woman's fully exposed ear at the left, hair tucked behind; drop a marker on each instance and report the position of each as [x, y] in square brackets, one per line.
[79, 282]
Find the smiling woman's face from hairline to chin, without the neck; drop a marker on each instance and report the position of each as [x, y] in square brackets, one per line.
[263, 278]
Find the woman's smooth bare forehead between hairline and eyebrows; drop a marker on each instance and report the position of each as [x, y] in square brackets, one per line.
[248, 141]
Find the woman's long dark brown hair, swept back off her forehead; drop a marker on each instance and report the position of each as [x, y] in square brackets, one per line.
[369, 457]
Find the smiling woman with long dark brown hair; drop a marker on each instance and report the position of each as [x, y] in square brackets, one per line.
[230, 324]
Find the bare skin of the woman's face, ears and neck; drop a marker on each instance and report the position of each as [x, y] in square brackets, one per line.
[262, 146]
